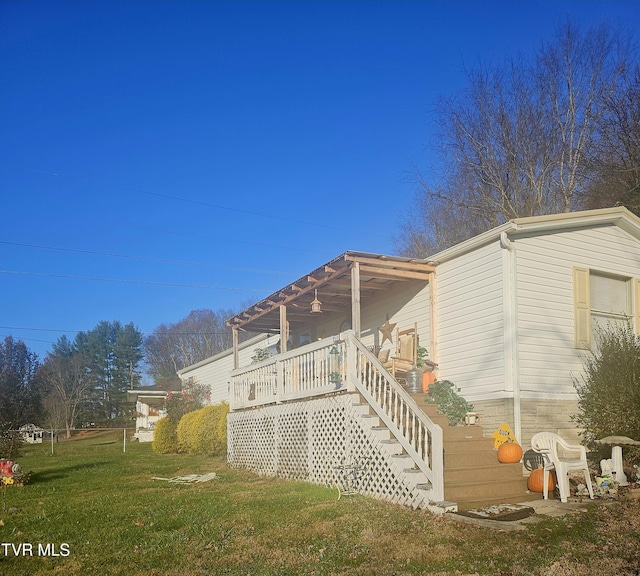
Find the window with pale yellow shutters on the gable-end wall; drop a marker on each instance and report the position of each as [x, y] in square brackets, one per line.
[601, 300]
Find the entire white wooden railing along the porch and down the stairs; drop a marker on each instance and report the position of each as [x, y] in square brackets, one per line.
[345, 365]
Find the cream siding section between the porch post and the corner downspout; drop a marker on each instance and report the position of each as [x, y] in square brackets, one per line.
[471, 330]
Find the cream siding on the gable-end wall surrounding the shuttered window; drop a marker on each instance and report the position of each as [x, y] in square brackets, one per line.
[548, 358]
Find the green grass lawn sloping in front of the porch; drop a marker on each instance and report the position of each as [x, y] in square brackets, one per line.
[104, 514]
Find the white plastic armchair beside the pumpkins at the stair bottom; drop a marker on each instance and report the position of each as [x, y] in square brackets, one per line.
[562, 457]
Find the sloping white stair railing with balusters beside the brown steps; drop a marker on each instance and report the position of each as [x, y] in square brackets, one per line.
[418, 435]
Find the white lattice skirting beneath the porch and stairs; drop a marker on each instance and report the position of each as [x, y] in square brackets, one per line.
[311, 440]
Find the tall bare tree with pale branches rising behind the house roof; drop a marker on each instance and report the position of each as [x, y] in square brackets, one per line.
[518, 140]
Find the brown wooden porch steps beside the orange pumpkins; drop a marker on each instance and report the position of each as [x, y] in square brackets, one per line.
[473, 477]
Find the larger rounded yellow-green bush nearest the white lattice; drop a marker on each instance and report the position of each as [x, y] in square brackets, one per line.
[204, 431]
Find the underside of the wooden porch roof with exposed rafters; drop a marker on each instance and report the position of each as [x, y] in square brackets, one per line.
[378, 273]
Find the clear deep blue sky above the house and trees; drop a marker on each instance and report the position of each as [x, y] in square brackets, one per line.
[158, 157]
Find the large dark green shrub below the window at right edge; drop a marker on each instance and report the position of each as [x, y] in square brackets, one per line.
[609, 390]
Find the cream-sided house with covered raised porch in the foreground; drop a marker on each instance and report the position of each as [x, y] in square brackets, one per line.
[507, 317]
